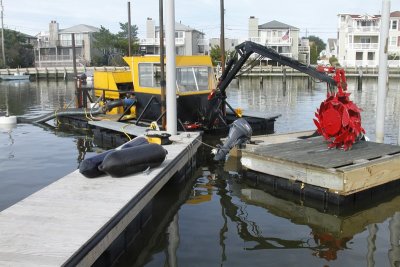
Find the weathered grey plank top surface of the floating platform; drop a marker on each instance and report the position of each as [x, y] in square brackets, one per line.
[314, 152]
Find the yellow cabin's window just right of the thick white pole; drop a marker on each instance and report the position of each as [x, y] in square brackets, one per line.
[189, 79]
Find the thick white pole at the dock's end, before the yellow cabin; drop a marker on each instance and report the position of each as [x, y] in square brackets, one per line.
[171, 68]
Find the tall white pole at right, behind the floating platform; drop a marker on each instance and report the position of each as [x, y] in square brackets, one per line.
[383, 76]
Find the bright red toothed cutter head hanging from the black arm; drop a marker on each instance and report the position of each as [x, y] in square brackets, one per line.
[338, 119]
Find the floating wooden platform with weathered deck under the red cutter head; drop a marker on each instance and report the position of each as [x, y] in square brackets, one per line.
[310, 166]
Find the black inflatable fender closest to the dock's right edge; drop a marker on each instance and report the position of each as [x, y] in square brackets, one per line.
[132, 160]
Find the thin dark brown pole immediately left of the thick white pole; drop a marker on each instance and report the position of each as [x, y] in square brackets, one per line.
[162, 78]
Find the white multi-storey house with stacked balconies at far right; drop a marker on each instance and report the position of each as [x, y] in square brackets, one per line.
[358, 40]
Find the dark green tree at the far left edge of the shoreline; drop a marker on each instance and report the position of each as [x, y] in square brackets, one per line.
[18, 53]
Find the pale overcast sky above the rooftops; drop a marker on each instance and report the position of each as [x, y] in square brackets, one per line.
[316, 17]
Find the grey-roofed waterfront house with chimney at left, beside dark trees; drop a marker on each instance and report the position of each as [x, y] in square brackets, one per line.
[54, 48]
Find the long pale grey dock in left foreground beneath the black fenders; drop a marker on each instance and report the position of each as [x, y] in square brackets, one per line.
[73, 221]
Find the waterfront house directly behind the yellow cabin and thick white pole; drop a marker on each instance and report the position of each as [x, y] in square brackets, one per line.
[188, 41]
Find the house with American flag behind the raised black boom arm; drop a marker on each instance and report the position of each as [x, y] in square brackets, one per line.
[282, 37]
